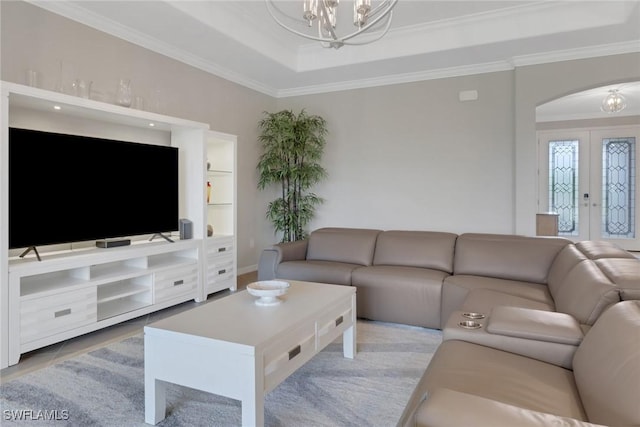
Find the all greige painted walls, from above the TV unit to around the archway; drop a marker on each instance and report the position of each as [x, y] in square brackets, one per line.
[407, 156]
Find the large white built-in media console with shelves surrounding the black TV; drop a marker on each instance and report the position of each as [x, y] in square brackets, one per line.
[75, 291]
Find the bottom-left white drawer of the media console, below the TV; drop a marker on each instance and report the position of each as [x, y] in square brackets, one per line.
[42, 317]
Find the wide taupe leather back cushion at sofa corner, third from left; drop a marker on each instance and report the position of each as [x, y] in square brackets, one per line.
[507, 256]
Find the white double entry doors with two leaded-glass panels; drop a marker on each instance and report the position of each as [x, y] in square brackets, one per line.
[589, 178]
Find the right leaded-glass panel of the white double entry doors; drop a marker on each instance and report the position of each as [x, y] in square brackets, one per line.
[618, 187]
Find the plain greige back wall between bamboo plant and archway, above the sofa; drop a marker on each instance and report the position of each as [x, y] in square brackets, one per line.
[413, 156]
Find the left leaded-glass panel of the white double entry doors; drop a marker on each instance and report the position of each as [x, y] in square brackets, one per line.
[563, 185]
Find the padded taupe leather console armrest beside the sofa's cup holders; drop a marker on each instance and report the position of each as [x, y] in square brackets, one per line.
[537, 325]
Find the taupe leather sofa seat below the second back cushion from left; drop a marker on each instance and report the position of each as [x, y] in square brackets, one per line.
[397, 294]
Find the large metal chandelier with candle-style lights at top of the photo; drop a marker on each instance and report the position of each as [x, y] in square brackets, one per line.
[323, 15]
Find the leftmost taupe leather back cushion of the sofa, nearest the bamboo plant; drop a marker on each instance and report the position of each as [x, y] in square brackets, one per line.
[349, 245]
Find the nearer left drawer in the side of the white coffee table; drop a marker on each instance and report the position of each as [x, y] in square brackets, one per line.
[282, 358]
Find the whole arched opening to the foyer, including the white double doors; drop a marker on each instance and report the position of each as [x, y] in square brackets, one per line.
[589, 165]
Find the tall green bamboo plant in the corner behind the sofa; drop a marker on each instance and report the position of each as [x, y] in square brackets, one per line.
[292, 149]
